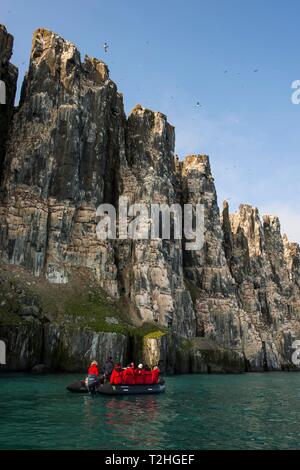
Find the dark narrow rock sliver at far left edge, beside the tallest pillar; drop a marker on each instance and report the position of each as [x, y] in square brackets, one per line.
[8, 77]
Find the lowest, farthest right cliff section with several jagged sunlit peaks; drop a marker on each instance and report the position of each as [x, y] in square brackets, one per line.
[257, 259]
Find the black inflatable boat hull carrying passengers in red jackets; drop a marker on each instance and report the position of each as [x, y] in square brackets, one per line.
[108, 389]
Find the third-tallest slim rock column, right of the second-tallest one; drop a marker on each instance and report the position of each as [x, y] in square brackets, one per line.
[220, 319]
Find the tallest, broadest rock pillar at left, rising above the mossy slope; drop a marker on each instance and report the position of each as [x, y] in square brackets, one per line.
[62, 160]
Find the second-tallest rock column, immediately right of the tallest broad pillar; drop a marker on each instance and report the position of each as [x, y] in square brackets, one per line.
[151, 270]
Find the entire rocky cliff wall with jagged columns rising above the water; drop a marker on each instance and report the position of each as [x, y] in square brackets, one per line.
[67, 295]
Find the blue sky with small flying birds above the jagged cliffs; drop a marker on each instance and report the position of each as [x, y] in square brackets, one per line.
[170, 54]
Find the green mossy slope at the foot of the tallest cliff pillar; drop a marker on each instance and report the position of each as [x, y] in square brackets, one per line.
[80, 304]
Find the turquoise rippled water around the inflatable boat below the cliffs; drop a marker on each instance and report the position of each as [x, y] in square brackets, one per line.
[251, 411]
